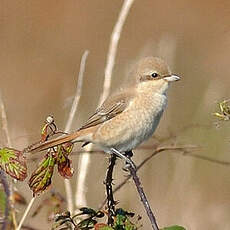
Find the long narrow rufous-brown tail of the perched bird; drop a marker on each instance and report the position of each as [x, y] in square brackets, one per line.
[79, 136]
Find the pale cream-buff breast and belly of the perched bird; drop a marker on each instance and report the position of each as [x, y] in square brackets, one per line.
[134, 125]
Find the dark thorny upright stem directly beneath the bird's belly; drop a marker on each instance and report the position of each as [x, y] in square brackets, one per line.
[109, 189]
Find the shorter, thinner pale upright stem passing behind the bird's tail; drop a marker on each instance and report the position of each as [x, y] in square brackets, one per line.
[68, 189]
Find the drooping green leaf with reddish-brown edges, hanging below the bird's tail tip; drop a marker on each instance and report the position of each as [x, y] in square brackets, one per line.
[41, 178]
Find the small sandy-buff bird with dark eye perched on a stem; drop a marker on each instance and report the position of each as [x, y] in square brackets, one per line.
[129, 116]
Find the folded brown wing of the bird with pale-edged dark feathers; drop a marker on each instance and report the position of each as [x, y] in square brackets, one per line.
[113, 106]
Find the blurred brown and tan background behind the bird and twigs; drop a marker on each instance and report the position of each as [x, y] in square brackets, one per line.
[41, 45]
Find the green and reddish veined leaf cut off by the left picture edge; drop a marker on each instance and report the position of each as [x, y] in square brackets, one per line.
[13, 163]
